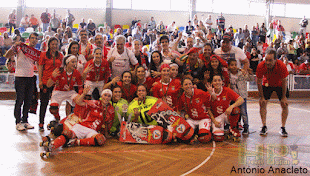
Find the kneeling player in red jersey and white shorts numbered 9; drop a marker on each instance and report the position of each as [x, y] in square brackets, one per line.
[196, 104]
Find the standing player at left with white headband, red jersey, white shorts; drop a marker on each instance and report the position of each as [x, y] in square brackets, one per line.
[65, 80]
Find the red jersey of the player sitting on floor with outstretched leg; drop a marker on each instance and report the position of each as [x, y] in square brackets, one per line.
[94, 115]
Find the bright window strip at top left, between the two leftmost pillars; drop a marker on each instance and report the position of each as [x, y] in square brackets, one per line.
[67, 3]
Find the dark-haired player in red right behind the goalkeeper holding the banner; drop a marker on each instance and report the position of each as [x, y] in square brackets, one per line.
[141, 78]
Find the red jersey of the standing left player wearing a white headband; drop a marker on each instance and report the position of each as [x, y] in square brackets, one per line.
[65, 81]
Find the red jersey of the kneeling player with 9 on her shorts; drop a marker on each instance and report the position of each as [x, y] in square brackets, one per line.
[195, 106]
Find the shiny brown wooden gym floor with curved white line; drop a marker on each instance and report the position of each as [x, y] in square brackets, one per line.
[254, 155]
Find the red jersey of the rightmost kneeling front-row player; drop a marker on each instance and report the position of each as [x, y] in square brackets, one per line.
[223, 100]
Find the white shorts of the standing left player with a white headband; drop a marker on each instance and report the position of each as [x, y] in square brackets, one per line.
[60, 96]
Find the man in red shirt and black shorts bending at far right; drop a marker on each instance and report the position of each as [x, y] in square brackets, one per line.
[272, 76]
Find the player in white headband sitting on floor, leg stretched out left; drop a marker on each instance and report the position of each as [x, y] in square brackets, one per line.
[97, 116]
